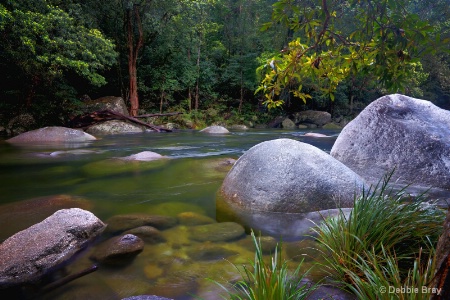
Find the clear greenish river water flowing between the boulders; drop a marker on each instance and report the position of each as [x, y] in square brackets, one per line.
[52, 175]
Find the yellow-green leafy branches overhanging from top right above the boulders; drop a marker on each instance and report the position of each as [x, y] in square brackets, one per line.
[383, 40]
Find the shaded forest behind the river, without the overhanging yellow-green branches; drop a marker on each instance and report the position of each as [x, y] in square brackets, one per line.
[198, 57]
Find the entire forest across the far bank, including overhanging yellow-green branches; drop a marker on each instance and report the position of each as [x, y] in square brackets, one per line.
[225, 61]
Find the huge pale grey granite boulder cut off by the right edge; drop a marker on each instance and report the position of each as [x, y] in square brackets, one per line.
[396, 131]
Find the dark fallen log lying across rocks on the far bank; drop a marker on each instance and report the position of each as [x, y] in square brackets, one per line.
[95, 117]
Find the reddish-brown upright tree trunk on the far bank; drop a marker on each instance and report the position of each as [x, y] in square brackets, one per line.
[133, 51]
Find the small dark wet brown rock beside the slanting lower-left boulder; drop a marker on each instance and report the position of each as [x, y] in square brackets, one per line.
[118, 250]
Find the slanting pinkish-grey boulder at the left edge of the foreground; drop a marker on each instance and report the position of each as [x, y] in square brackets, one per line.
[33, 252]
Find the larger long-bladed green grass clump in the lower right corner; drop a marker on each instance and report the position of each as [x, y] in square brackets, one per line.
[386, 243]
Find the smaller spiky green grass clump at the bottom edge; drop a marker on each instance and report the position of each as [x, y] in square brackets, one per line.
[263, 281]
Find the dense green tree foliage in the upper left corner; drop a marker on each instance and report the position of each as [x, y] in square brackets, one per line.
[49, 41]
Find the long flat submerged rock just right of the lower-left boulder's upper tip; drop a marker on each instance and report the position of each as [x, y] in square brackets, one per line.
[122, 223]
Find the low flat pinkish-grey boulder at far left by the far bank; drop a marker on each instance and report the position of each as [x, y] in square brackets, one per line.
[52, 134]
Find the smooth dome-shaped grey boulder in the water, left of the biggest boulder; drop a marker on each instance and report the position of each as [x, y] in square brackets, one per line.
[288, 176]
